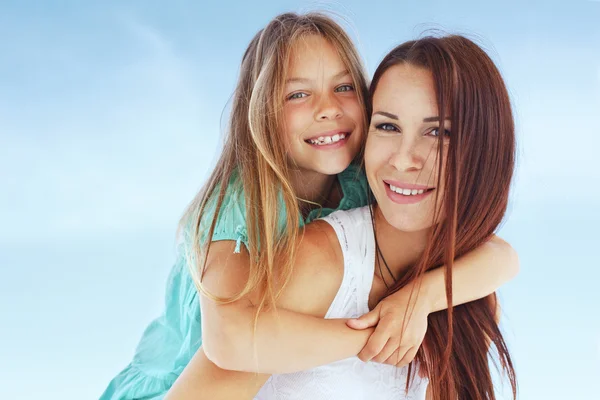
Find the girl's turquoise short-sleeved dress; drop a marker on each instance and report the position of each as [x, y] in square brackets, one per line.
[170, 341]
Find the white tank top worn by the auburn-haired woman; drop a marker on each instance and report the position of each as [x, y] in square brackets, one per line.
[349, 379]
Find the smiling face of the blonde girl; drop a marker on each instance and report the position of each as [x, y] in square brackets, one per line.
[323, 118]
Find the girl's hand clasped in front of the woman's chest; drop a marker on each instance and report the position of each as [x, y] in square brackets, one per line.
[399, 332]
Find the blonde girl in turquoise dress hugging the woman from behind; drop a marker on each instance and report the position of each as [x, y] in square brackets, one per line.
[297, 123]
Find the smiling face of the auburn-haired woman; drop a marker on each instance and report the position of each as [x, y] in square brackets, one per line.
[401, 155]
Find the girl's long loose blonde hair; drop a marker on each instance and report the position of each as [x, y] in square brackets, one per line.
[260, 161]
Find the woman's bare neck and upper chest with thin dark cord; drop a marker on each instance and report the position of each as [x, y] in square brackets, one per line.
[400, 249]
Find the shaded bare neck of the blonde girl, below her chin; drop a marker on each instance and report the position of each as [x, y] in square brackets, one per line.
[313, 187]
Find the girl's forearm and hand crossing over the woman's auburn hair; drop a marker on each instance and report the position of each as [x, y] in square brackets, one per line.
[475, 275]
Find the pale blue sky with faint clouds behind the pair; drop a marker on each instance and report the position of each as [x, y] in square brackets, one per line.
[110, 118]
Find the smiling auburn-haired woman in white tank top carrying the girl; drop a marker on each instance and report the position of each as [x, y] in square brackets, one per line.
[438, 195]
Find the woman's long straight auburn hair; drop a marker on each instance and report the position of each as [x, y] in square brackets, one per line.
[479, 167]
